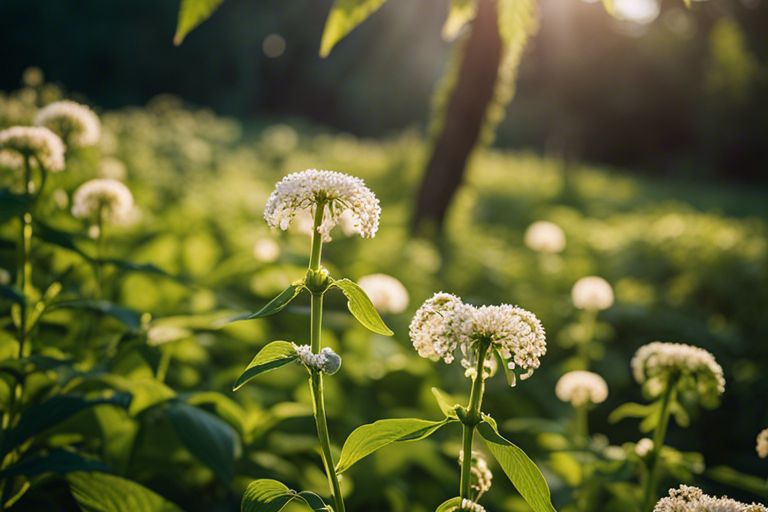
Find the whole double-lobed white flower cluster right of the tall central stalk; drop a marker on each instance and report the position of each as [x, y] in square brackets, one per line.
[444, 323]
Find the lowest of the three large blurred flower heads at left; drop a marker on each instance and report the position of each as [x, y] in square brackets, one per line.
[110, 197]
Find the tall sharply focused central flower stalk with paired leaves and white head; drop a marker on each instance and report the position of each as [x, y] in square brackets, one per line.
[329, 197]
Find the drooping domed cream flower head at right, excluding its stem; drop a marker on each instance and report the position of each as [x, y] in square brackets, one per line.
[694, 368]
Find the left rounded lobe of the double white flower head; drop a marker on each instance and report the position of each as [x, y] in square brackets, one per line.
[438, 327]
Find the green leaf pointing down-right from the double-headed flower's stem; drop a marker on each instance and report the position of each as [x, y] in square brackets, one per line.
[519, 468]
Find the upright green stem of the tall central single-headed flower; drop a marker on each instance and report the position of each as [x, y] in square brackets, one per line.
[316, 379]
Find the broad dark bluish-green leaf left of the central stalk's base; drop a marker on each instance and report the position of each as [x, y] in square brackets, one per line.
[207, 437]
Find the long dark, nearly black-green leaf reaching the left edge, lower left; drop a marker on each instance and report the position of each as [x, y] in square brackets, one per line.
[45, 415]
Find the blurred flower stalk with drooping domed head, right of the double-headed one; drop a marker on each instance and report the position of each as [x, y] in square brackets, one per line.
[666, 370]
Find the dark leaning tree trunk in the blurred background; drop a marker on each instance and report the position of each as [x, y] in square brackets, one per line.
[464, 118]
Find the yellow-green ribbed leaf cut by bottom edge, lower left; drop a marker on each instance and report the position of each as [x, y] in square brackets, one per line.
[101, 492]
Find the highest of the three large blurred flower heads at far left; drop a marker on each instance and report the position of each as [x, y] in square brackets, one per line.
[73, 122]
